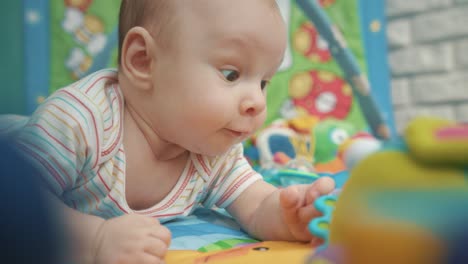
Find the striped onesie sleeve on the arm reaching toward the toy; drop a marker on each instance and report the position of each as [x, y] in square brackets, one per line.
[234, 176]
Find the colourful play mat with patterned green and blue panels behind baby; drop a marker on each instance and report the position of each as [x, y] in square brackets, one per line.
[333, 86]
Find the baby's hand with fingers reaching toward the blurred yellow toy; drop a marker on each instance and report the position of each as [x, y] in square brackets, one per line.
[297, 207]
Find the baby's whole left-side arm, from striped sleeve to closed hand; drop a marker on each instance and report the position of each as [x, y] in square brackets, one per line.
[61, 141]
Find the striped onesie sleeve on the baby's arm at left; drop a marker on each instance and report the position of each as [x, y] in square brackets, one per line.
[61, 140]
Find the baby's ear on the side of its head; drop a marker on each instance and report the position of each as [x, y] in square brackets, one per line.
[136, 57]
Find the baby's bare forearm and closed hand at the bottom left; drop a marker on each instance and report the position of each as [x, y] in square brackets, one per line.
[126, 239]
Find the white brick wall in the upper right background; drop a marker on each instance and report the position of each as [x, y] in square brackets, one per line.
[428, 41]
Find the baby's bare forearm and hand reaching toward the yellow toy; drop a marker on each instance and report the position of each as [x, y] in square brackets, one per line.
[269, 213]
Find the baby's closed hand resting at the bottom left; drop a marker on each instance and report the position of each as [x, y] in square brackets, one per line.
[131, 239]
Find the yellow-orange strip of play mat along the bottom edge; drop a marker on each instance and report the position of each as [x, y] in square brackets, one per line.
[263, 252]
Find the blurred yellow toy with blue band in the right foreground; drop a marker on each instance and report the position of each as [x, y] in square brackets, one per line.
[403, 203]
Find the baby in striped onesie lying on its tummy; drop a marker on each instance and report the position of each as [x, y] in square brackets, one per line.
[126, 150]
